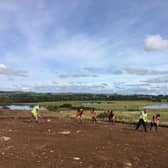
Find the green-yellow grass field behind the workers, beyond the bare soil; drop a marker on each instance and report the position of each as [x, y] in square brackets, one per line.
[124, 110]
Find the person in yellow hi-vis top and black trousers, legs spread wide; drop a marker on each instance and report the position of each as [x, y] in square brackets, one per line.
[142, 120]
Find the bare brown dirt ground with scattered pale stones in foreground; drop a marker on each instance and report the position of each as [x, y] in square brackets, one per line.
[58, 142]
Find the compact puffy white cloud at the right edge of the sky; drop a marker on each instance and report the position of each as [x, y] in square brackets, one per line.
[155, 42]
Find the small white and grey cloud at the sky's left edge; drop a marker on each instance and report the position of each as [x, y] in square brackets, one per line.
[4, 70]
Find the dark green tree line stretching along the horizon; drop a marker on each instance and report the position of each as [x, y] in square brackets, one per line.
[30, 97]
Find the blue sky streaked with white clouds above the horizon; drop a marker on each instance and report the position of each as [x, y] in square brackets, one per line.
[84, 46]
